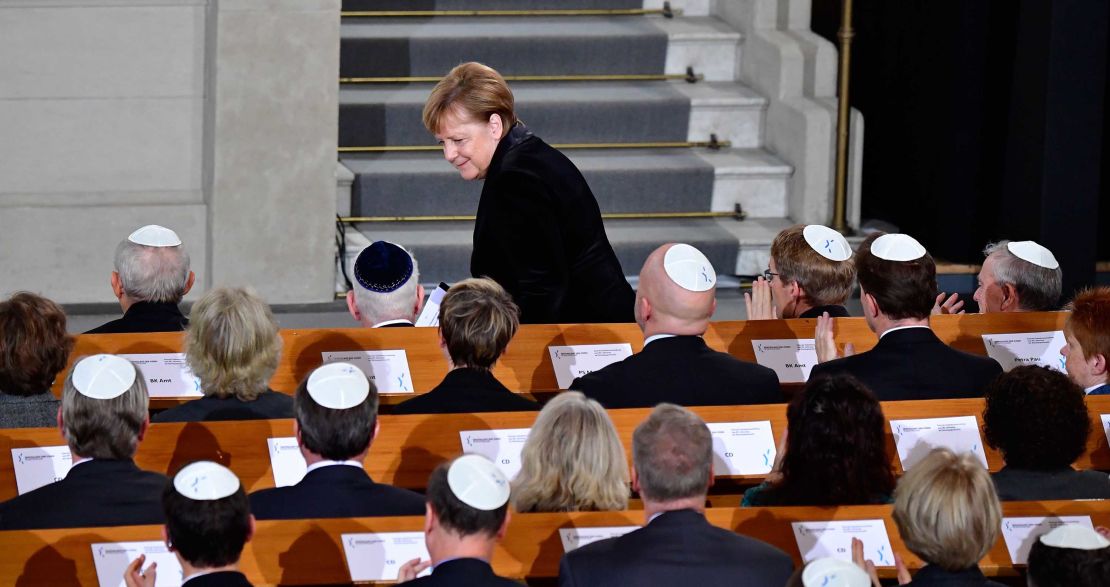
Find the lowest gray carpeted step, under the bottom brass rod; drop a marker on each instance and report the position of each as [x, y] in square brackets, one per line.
[443, 249]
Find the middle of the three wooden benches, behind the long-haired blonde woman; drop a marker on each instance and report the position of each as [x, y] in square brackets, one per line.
[409, 448]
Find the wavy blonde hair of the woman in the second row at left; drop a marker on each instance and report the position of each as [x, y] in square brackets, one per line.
[233, 343]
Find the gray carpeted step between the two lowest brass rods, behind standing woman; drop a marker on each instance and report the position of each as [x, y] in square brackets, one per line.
[399, 185]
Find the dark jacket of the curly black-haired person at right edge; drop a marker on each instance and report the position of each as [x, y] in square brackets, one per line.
[1025, 485]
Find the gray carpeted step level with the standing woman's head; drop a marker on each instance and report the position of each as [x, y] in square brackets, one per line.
[569, 113]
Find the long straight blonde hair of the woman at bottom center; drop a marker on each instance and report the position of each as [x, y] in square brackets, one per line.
[573, 460]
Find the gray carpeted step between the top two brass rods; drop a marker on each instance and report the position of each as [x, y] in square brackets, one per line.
[512, 46]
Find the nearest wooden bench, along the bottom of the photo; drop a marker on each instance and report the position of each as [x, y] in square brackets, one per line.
[311, 552]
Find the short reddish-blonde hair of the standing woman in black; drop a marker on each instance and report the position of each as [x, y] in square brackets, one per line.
[478, 90]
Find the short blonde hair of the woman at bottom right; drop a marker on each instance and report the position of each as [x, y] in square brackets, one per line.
[947, 511]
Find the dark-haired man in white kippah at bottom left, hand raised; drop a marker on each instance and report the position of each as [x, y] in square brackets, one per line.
[208, 521]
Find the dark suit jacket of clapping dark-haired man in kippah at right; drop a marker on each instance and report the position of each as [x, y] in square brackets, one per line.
[914, 365]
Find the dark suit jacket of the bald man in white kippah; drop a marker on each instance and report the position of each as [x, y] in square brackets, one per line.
[682, 370]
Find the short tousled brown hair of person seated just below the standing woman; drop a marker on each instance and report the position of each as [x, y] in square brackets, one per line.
[478, 319]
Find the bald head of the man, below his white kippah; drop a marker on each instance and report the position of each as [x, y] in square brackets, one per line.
[664, 307]
